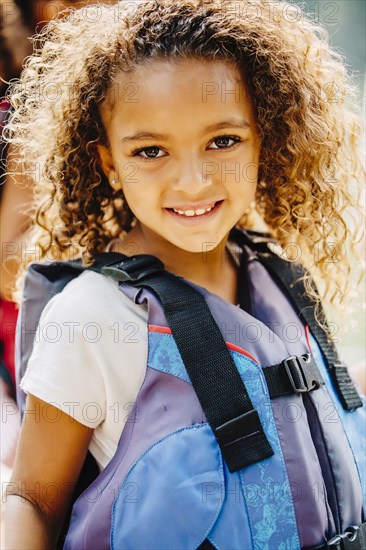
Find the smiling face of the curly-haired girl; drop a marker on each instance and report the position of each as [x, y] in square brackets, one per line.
[184, 148]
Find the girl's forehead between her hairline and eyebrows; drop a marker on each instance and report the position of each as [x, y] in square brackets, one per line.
[160, 89]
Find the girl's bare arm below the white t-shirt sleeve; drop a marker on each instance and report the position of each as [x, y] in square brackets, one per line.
[51, 451]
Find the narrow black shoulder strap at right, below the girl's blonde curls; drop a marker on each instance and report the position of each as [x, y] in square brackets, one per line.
[290, 276]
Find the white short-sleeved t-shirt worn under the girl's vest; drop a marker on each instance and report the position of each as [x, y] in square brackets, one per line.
[89, 358]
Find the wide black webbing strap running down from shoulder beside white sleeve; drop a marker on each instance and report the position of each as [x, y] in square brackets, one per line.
[210, 366]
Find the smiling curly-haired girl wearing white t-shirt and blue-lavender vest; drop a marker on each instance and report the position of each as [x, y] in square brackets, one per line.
[153, 127]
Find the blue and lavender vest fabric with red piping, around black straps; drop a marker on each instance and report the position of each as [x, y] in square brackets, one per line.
[171, 483]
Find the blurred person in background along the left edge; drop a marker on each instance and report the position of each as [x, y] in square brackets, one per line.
[19, 20]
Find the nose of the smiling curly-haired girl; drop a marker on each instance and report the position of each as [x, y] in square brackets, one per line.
[193, 175]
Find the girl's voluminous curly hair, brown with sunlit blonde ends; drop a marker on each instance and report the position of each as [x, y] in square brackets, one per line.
[304, 100]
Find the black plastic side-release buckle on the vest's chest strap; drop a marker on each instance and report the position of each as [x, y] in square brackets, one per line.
[302, 373]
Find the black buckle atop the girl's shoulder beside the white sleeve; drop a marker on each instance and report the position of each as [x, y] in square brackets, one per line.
[134, 268]
